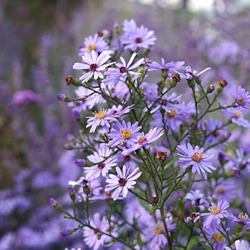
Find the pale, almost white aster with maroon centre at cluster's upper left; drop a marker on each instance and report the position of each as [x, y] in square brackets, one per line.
[93, 64]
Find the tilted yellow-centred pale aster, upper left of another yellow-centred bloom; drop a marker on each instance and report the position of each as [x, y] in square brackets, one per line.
[101, 118]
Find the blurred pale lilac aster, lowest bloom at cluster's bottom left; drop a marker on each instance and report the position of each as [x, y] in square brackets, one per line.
[94, 237]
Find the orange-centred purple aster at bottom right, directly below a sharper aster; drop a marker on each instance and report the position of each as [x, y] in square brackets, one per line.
[213, 233]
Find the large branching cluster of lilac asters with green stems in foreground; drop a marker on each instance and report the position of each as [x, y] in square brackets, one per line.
[160, 161]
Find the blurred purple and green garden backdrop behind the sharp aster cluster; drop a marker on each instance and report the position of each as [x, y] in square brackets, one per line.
[39, 42]
